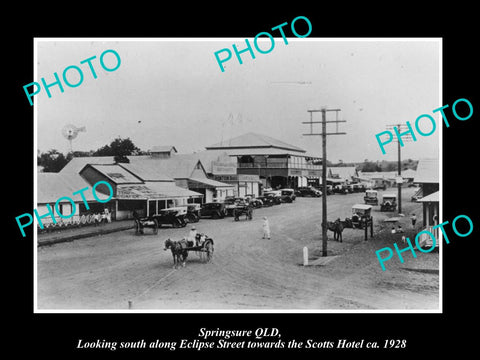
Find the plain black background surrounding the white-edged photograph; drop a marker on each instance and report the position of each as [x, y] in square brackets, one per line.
[57, 334]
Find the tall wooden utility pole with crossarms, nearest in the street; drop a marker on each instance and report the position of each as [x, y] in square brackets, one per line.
[324, 134]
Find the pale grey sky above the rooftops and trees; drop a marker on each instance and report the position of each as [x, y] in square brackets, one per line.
[172, 92]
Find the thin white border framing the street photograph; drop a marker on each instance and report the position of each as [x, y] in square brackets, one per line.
[248, 311]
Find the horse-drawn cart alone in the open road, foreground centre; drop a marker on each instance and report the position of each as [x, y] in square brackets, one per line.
[203, 246]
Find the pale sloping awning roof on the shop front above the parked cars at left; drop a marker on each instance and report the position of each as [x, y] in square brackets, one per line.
[153, 191]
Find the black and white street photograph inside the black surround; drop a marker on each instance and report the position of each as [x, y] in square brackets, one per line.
[211, 195]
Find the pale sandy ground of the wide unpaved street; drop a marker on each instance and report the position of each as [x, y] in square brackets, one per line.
[247, 272]
